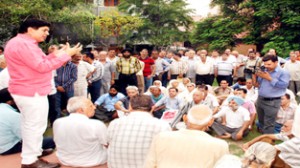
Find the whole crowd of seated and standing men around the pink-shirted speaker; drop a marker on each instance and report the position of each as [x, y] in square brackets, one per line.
[132, 94]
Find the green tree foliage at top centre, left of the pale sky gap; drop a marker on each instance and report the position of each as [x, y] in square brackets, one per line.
[165, 21]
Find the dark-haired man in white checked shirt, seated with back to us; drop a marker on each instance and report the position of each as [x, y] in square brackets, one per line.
[129, 138]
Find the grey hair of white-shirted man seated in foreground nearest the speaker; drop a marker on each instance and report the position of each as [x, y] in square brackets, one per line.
[75, 103]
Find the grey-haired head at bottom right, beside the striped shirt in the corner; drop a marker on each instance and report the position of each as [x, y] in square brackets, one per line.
[261, 153]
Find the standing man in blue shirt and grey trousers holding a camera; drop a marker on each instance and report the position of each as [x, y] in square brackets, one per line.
[272, 82]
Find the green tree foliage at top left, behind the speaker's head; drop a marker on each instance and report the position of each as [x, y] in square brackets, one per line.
[70, 12]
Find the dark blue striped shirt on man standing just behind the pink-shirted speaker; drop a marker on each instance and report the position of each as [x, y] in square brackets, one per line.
[66, 76]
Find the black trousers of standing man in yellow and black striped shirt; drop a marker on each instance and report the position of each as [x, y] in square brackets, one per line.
[126, 80]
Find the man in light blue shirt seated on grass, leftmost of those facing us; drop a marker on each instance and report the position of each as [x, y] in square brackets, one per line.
[105, 104]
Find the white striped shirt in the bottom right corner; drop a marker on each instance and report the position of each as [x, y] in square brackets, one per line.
[290, 151]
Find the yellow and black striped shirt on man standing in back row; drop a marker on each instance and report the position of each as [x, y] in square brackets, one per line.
[128, 66]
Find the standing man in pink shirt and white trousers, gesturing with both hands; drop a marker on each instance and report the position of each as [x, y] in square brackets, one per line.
[31, 72]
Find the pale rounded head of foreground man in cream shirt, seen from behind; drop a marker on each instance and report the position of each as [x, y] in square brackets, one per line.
[199, 115]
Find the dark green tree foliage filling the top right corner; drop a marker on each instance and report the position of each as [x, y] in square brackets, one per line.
[265, 23]
